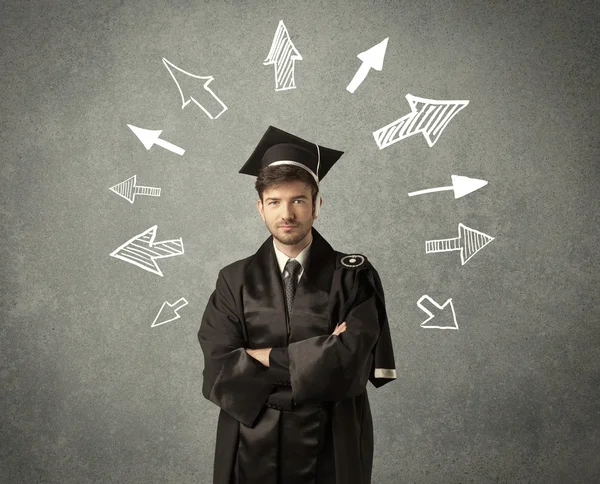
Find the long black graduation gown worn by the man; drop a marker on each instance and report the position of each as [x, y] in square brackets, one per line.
[305, 419]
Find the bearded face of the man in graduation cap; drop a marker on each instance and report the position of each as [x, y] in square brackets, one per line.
[287, 211]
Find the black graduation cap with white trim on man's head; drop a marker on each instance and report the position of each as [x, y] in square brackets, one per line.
[277, 147]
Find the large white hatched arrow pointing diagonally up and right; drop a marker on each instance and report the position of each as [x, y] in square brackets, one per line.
[427, 116]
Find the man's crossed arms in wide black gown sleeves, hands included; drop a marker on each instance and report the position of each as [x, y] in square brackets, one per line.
[321, 368]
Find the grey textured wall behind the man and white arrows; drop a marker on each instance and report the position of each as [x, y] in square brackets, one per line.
[92, 393]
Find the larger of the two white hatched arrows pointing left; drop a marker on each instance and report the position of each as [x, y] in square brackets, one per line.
[142, 251]
